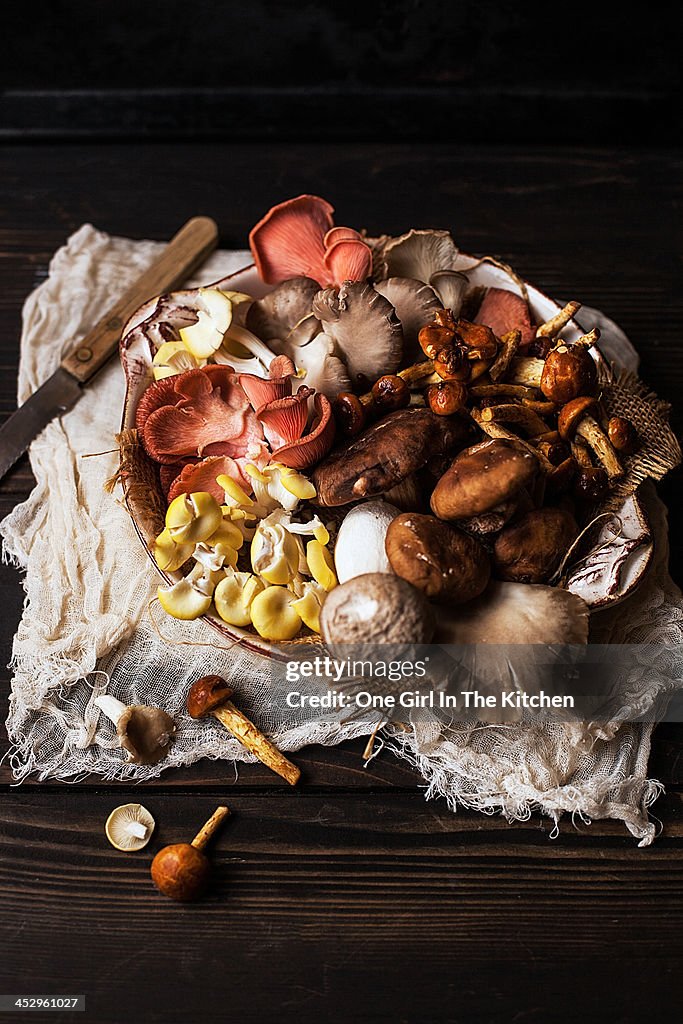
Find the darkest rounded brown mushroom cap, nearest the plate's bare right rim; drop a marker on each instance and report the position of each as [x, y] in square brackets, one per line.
[531, 549]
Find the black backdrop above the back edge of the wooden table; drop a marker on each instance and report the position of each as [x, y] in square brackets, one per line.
[461, 71]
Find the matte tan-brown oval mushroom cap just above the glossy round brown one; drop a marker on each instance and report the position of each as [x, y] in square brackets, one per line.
[483, 478]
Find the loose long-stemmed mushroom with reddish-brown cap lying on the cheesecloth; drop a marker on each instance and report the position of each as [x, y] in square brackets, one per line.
[211, 696]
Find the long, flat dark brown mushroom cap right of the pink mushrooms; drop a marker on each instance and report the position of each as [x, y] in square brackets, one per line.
[383, 456]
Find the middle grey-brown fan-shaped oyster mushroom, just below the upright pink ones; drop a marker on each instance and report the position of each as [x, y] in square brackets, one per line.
[364, 328]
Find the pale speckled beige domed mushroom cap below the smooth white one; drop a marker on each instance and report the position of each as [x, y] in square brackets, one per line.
[376, 609]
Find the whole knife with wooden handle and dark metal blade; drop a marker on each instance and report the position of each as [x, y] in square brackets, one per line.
[185, 253]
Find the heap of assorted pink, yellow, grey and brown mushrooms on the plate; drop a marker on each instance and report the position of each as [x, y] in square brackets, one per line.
[374, 418]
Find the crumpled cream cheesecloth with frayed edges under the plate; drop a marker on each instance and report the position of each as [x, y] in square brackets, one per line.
[87, 627]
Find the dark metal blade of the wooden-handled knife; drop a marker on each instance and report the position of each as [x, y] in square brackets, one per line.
[56, 397]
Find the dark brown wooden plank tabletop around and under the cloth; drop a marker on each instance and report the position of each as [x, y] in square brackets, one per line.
[352, 900]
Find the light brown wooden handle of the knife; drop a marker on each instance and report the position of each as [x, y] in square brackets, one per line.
[185, 253]
